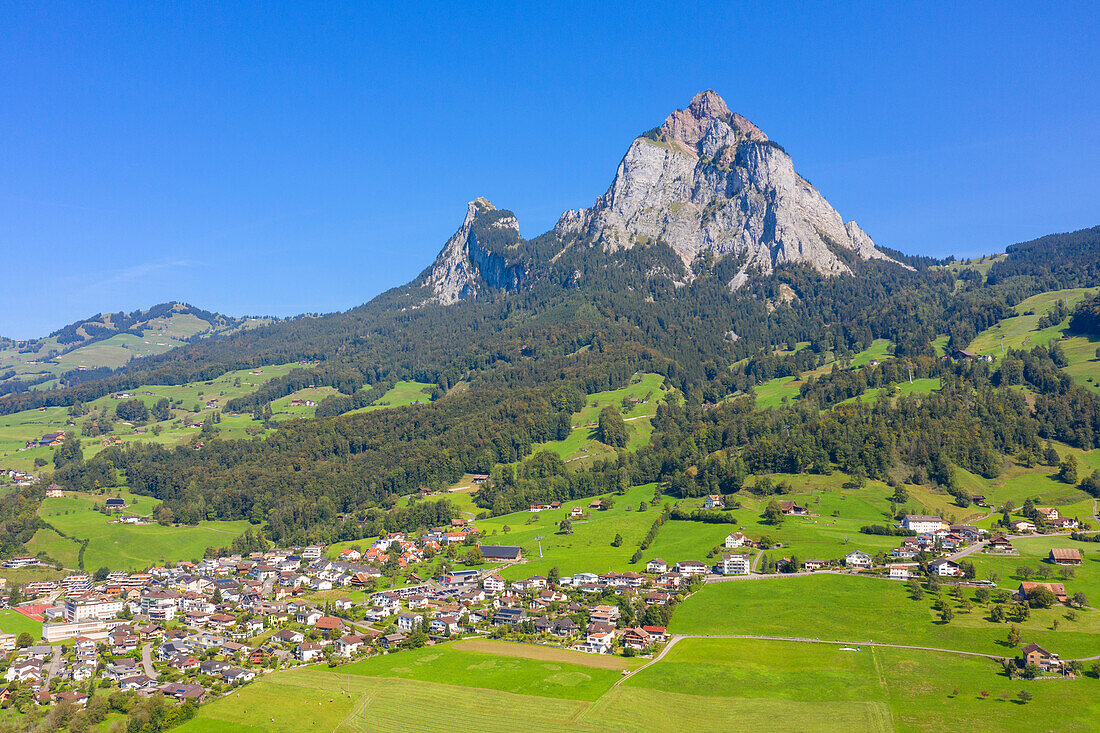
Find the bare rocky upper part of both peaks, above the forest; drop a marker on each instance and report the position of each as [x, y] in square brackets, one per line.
[707, 183]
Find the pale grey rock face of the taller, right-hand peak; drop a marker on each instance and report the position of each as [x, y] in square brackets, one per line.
[711, 181]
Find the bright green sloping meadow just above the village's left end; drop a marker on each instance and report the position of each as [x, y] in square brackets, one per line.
[122, 546]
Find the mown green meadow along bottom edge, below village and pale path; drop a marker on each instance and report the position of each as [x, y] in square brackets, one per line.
[701, 685]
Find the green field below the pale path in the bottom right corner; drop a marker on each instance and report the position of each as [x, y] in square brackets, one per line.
[760, 685]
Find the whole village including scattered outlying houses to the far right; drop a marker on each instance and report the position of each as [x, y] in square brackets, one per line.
[199, 630]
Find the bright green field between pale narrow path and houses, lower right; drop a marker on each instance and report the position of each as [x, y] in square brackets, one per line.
[854, 609]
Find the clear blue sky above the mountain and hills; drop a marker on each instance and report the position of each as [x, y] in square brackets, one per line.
[289, 158]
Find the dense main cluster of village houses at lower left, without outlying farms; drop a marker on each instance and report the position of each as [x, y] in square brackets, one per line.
[200, 628]
